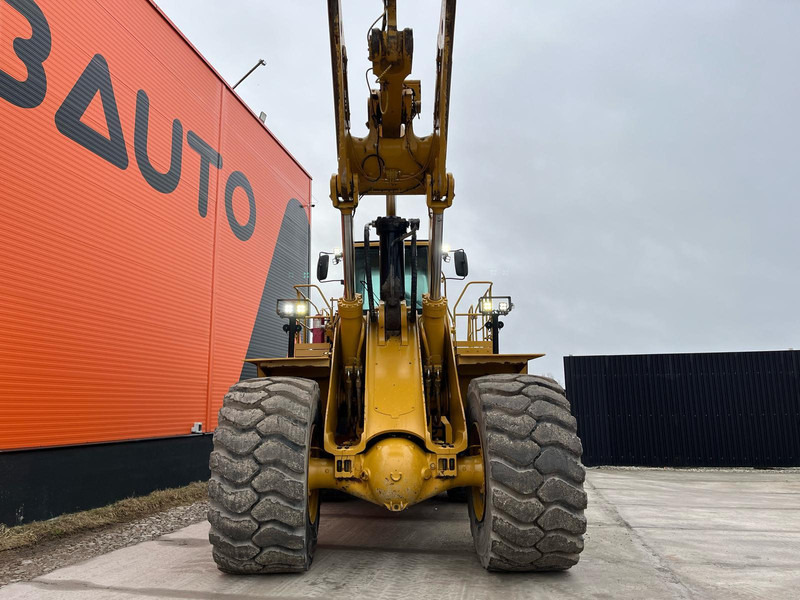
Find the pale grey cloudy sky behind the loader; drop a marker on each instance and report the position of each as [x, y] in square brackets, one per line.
[629, 171]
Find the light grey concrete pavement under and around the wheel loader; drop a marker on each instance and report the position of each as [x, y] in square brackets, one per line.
[653, 533]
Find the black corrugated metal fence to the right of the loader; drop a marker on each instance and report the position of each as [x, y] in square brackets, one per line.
[714, 409]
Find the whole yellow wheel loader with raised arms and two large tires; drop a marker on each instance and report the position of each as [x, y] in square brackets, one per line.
[377, 397]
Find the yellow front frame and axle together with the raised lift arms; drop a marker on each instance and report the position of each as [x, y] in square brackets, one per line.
[394, 460]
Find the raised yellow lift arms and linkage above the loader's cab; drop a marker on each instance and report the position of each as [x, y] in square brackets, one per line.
[391, 158]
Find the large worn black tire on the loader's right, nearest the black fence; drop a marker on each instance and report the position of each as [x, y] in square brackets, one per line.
[533, 499]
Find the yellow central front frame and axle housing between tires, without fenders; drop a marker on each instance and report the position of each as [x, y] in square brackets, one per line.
[395, 471]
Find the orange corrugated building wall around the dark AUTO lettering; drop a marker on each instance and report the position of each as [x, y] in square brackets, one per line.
[124, 312]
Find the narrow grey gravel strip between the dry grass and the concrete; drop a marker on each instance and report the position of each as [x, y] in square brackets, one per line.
[23, 564]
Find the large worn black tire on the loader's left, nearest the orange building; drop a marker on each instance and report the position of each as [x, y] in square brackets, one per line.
[262, 518]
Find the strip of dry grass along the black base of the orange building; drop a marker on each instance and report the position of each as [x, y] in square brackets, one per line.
[123, 511]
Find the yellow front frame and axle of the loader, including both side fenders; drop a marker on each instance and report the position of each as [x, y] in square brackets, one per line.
[384, 467]
